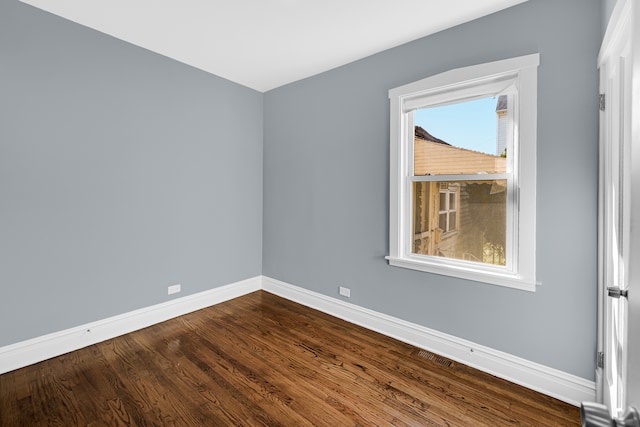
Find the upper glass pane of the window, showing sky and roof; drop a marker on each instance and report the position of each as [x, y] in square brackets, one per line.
[464, 138]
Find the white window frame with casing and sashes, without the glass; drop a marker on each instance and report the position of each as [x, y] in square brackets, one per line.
[517, 76]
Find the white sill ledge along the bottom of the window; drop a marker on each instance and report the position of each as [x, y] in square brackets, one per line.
[466, 272]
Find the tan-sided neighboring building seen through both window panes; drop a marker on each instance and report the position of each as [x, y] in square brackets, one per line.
[458, 219]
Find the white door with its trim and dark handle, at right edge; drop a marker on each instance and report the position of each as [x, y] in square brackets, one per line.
[619, 247]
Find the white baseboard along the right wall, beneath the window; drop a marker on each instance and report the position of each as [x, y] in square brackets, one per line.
[552, 382]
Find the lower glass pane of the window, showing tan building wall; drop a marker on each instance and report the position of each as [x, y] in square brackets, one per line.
[475, 230]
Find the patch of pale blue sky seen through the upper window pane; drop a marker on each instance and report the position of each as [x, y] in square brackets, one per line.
[470, 124]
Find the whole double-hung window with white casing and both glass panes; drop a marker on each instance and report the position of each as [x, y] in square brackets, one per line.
[464, 205]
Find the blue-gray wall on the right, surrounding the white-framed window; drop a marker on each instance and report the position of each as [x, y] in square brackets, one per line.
[326, 190]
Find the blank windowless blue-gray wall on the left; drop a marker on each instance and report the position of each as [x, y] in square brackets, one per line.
[121, 172]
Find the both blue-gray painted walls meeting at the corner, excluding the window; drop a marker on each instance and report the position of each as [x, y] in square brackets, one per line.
[123, 172]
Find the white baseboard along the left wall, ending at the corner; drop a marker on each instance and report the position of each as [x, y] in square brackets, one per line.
[35, 350]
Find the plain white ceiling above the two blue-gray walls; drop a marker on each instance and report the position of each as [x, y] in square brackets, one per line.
[264, 44]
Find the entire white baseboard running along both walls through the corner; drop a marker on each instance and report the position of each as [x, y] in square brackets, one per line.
[552, 382]
